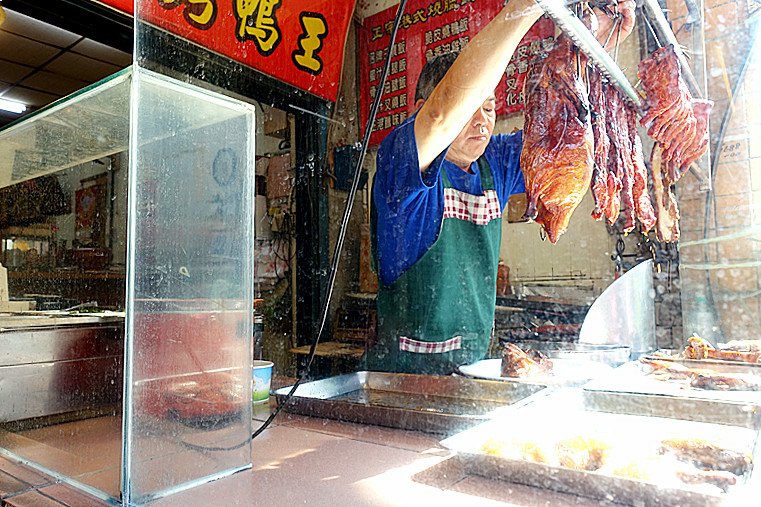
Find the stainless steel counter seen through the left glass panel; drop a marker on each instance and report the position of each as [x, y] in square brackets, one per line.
[57, 365]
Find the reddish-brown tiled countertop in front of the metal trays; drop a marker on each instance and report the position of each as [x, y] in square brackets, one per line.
[303, 460]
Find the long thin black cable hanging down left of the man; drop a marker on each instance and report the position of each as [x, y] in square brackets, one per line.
[344, 223]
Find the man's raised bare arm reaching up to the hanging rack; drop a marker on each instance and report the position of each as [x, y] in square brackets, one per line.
[471, 79]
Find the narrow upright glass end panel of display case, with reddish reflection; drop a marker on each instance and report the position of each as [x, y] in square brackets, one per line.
[190, 288]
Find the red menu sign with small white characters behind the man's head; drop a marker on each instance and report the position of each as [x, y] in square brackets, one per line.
[430, 28]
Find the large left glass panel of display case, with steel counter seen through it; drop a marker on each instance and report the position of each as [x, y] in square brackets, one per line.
[63, 228]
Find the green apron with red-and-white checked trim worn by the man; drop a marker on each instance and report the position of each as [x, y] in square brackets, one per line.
[439, 314]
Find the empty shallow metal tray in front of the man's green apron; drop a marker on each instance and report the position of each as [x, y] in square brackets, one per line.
[434, 404]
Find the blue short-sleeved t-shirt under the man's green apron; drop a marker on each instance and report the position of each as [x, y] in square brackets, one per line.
[409, 205]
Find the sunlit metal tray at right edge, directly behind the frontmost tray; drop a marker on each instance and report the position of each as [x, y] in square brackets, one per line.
[630, 391]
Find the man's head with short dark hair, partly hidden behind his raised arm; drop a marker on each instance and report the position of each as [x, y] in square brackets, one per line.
[472, 140]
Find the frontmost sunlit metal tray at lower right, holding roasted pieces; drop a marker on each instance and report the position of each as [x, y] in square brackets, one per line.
[540, 421]
